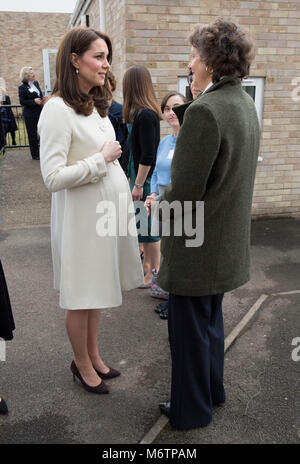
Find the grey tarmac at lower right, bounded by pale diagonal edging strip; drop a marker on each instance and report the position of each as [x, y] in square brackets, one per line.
[262, 384]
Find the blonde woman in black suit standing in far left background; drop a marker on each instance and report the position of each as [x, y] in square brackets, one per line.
[31, 98]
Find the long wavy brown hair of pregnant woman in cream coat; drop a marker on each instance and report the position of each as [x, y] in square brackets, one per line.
[78, 40]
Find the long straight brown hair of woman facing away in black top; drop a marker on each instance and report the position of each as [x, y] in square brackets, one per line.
[138, 92]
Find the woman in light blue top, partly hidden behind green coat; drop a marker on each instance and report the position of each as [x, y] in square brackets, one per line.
[161, 176]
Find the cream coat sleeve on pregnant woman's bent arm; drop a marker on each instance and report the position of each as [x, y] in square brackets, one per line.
[55, 130]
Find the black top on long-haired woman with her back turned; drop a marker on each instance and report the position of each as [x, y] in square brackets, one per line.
[145, 139]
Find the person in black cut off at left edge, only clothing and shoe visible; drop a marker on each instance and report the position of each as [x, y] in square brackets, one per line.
[7, 323]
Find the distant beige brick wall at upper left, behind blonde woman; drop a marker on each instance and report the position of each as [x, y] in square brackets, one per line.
[23, 36]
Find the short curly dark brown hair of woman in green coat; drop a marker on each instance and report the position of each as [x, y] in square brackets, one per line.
[224, 48]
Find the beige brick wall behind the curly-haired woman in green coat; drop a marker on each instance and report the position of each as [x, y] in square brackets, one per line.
[154, 33]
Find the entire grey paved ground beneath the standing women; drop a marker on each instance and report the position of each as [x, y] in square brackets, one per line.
[262, 380]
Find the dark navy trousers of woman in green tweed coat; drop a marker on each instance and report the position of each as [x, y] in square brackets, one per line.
[197, 349]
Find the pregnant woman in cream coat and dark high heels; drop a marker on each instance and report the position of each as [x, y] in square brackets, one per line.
[80, 167]
